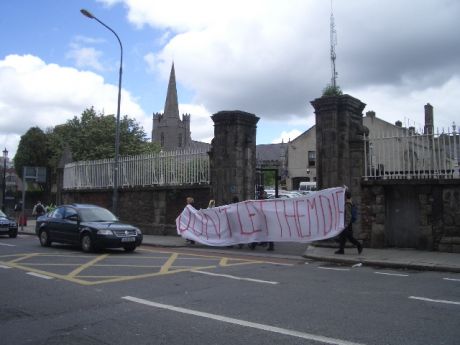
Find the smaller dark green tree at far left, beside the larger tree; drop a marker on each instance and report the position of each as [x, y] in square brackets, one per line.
[32, 150]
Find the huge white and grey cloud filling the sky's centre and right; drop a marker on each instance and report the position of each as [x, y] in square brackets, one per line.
[271, 58]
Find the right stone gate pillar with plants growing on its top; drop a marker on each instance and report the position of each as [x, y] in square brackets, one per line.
[339, 142]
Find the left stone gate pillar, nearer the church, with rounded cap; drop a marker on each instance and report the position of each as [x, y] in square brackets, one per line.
[233, 156]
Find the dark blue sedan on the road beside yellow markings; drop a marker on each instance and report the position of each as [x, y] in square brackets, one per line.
[93, 227]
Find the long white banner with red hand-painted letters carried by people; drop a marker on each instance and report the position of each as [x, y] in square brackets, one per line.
[313, 217]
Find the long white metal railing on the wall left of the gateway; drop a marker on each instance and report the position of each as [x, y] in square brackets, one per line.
[162, 169]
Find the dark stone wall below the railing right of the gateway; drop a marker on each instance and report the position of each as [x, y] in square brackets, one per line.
[414, 214]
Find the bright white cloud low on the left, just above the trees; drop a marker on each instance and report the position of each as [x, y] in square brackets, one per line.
[33, 93]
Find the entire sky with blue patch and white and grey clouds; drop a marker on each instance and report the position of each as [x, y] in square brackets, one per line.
[266, 57]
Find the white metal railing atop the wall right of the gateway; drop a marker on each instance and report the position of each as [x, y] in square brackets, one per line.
[406, 154]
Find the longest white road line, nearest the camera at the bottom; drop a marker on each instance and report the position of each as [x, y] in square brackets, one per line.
[260, 326]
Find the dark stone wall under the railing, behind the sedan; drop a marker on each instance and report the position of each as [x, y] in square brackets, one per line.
[153, 210]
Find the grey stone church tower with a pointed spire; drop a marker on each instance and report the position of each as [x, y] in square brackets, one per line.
[168, 129]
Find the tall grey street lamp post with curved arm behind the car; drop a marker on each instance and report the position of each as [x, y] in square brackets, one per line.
[117, 130]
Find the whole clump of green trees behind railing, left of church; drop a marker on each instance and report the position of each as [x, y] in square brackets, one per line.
[88, 137]
